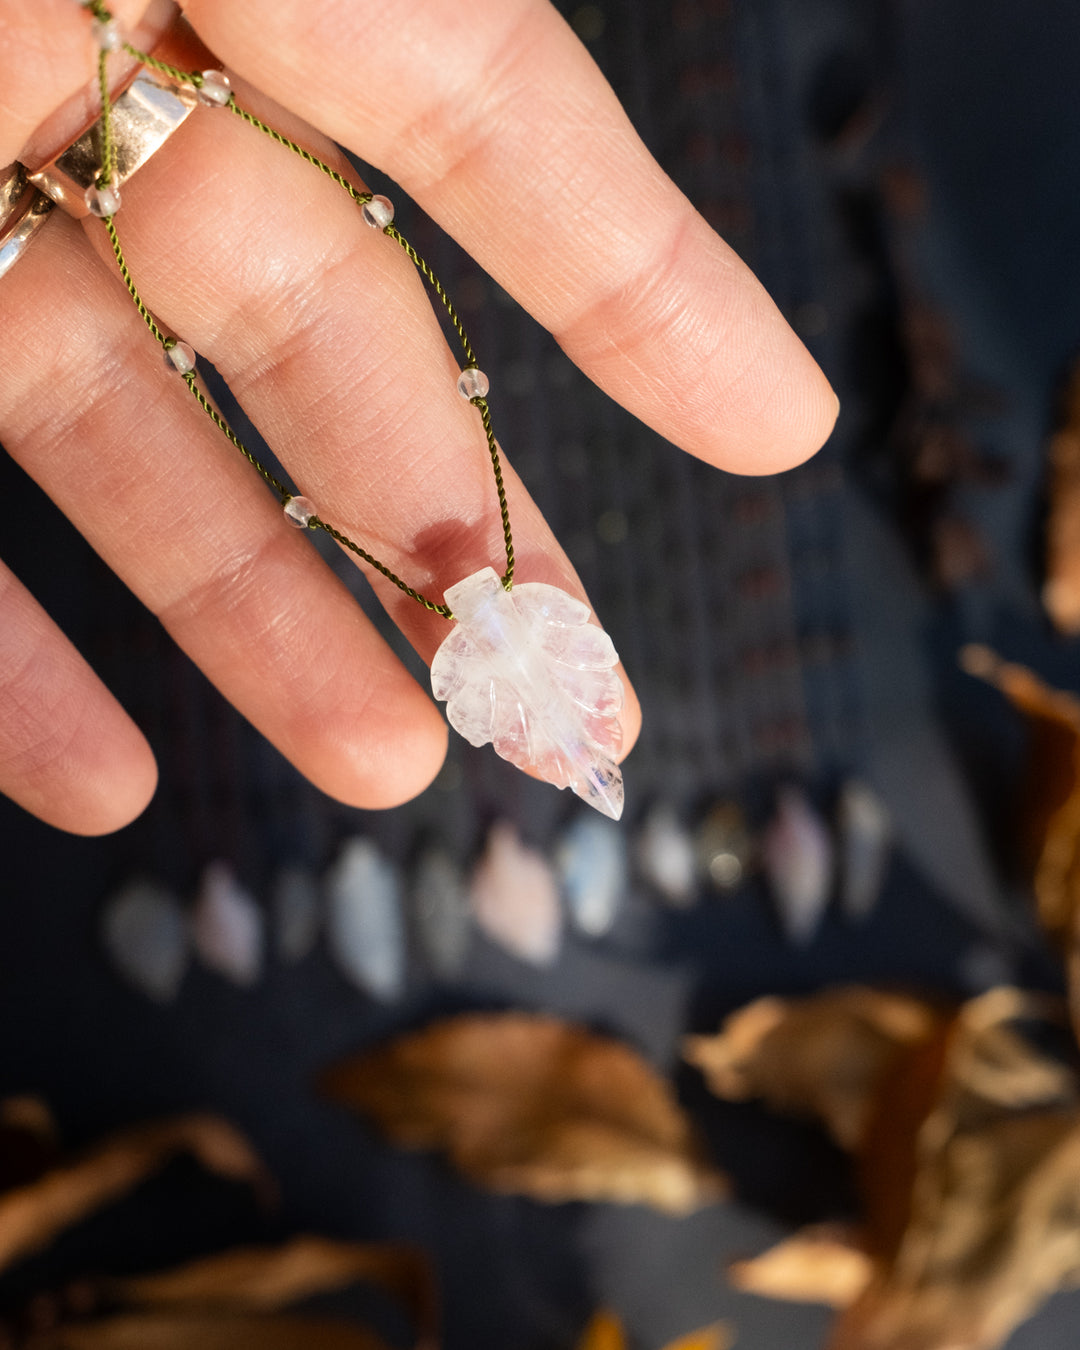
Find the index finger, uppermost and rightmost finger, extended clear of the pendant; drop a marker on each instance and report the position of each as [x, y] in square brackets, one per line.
[496, 121]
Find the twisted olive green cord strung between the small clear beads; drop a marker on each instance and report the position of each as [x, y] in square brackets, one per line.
[98, 10]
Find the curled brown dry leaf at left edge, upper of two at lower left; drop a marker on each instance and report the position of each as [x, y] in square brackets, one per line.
[33, 1216]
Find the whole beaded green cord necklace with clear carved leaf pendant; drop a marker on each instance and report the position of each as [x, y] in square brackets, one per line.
[523, 668]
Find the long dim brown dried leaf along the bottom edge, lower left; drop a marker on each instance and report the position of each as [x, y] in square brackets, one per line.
[273, 1278]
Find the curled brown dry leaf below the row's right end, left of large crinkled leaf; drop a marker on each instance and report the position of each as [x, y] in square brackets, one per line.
[823, 1056]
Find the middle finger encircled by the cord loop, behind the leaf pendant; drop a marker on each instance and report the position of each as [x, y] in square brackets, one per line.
[218, 279]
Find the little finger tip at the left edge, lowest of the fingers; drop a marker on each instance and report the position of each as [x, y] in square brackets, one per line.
[70, 754]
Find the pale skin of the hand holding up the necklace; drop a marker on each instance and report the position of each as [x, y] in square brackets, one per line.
[496, 121]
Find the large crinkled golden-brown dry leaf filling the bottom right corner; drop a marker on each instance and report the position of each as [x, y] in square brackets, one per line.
[992, 1220]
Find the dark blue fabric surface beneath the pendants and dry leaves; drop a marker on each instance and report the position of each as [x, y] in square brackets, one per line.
[851, 670]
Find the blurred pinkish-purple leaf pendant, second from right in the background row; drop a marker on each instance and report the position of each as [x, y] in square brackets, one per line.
[799, 859]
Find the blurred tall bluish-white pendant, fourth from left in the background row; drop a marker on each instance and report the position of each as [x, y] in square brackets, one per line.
[365, 925]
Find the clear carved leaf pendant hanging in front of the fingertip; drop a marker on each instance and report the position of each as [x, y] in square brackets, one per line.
[527, 672]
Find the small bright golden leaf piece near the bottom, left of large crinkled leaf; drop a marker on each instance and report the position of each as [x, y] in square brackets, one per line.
[816, 1266]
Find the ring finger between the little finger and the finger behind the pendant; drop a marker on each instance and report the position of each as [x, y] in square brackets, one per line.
[90, 414]
